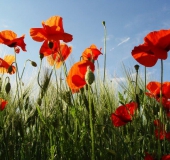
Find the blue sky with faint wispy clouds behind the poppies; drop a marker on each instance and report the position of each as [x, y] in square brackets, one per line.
[127, 23]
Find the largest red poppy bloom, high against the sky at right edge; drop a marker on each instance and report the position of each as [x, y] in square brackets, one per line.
[156, 45]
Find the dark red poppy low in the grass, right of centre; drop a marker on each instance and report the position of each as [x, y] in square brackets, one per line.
[123, 114]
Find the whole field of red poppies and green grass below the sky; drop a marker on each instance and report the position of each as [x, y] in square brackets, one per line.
[83, 116]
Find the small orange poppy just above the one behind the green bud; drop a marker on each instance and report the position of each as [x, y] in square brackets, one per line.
[91, 53]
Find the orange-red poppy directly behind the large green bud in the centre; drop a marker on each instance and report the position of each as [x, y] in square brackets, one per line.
[76, 75]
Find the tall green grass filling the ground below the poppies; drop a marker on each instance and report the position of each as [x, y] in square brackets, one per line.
[54, 123]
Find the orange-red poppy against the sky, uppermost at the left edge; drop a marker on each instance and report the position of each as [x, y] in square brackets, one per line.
[10, 39]
